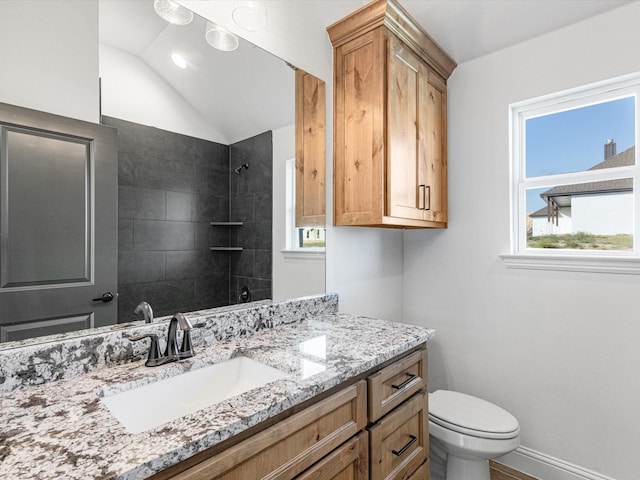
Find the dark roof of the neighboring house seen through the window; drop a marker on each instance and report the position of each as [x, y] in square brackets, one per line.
[606, 186]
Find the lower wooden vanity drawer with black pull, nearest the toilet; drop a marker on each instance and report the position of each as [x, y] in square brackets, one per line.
[399, 443]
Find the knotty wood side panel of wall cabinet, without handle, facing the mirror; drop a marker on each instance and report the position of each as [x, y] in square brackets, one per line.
[359, 130]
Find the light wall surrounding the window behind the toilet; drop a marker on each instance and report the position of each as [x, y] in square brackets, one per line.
[561, 351]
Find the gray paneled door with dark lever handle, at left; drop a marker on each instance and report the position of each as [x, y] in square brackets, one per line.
[58, 224]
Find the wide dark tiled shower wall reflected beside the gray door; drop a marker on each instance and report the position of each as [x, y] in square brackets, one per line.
[170, 186]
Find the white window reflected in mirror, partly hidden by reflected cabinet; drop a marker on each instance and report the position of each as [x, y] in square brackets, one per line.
[303, 239]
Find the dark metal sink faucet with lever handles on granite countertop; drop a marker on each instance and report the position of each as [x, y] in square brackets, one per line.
[171, 352]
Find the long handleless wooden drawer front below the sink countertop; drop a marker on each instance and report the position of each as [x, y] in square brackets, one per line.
[287, 448]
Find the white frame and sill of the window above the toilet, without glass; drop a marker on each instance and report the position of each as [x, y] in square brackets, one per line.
[520, 256]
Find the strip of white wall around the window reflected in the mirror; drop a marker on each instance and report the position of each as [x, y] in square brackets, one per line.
[293, 276]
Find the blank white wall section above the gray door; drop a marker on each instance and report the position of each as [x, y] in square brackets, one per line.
[50, 56]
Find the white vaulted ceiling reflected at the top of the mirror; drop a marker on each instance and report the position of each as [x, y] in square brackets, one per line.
[240, 93]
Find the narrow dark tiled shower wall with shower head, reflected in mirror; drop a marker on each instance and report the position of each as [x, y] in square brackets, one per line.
[251, 199]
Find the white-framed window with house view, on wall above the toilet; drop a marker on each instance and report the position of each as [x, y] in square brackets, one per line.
[575, 178]
